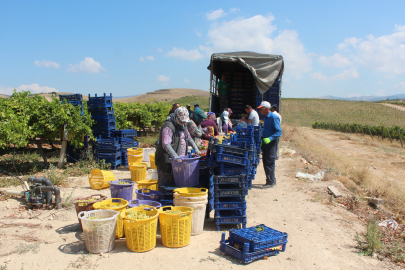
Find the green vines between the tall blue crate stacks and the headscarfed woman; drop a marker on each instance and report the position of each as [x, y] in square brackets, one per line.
[140, 116]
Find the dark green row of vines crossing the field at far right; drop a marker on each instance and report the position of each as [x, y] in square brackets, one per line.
[395, 132]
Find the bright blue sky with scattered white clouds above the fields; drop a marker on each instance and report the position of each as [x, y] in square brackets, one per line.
[339, 48]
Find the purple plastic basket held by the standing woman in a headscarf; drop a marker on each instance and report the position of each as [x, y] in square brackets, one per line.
[186, 172]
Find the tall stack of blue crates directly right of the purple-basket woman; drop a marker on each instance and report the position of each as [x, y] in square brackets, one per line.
[232, 165]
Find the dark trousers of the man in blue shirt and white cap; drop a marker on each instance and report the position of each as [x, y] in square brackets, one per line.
[270, 152]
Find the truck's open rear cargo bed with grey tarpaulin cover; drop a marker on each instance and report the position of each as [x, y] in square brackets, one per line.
[251, 78]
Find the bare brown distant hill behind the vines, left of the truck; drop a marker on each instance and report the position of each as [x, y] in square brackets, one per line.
[165, 95]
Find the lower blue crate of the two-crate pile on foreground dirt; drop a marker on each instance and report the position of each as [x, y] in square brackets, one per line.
[243, 255]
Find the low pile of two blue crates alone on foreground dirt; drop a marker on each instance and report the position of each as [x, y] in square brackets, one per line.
[254, 243]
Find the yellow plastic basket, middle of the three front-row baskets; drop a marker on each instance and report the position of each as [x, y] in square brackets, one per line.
[141, 234]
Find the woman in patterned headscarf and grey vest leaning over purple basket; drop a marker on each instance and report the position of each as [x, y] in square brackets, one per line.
[174, 140]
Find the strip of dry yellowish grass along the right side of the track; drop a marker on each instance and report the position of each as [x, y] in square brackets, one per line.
[353, 172]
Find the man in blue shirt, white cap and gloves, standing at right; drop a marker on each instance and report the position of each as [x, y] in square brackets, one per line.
[269, 144]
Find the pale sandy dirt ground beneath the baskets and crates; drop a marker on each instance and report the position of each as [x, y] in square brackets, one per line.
[320, 235]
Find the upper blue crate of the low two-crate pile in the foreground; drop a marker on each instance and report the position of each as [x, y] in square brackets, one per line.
[268, 238]
